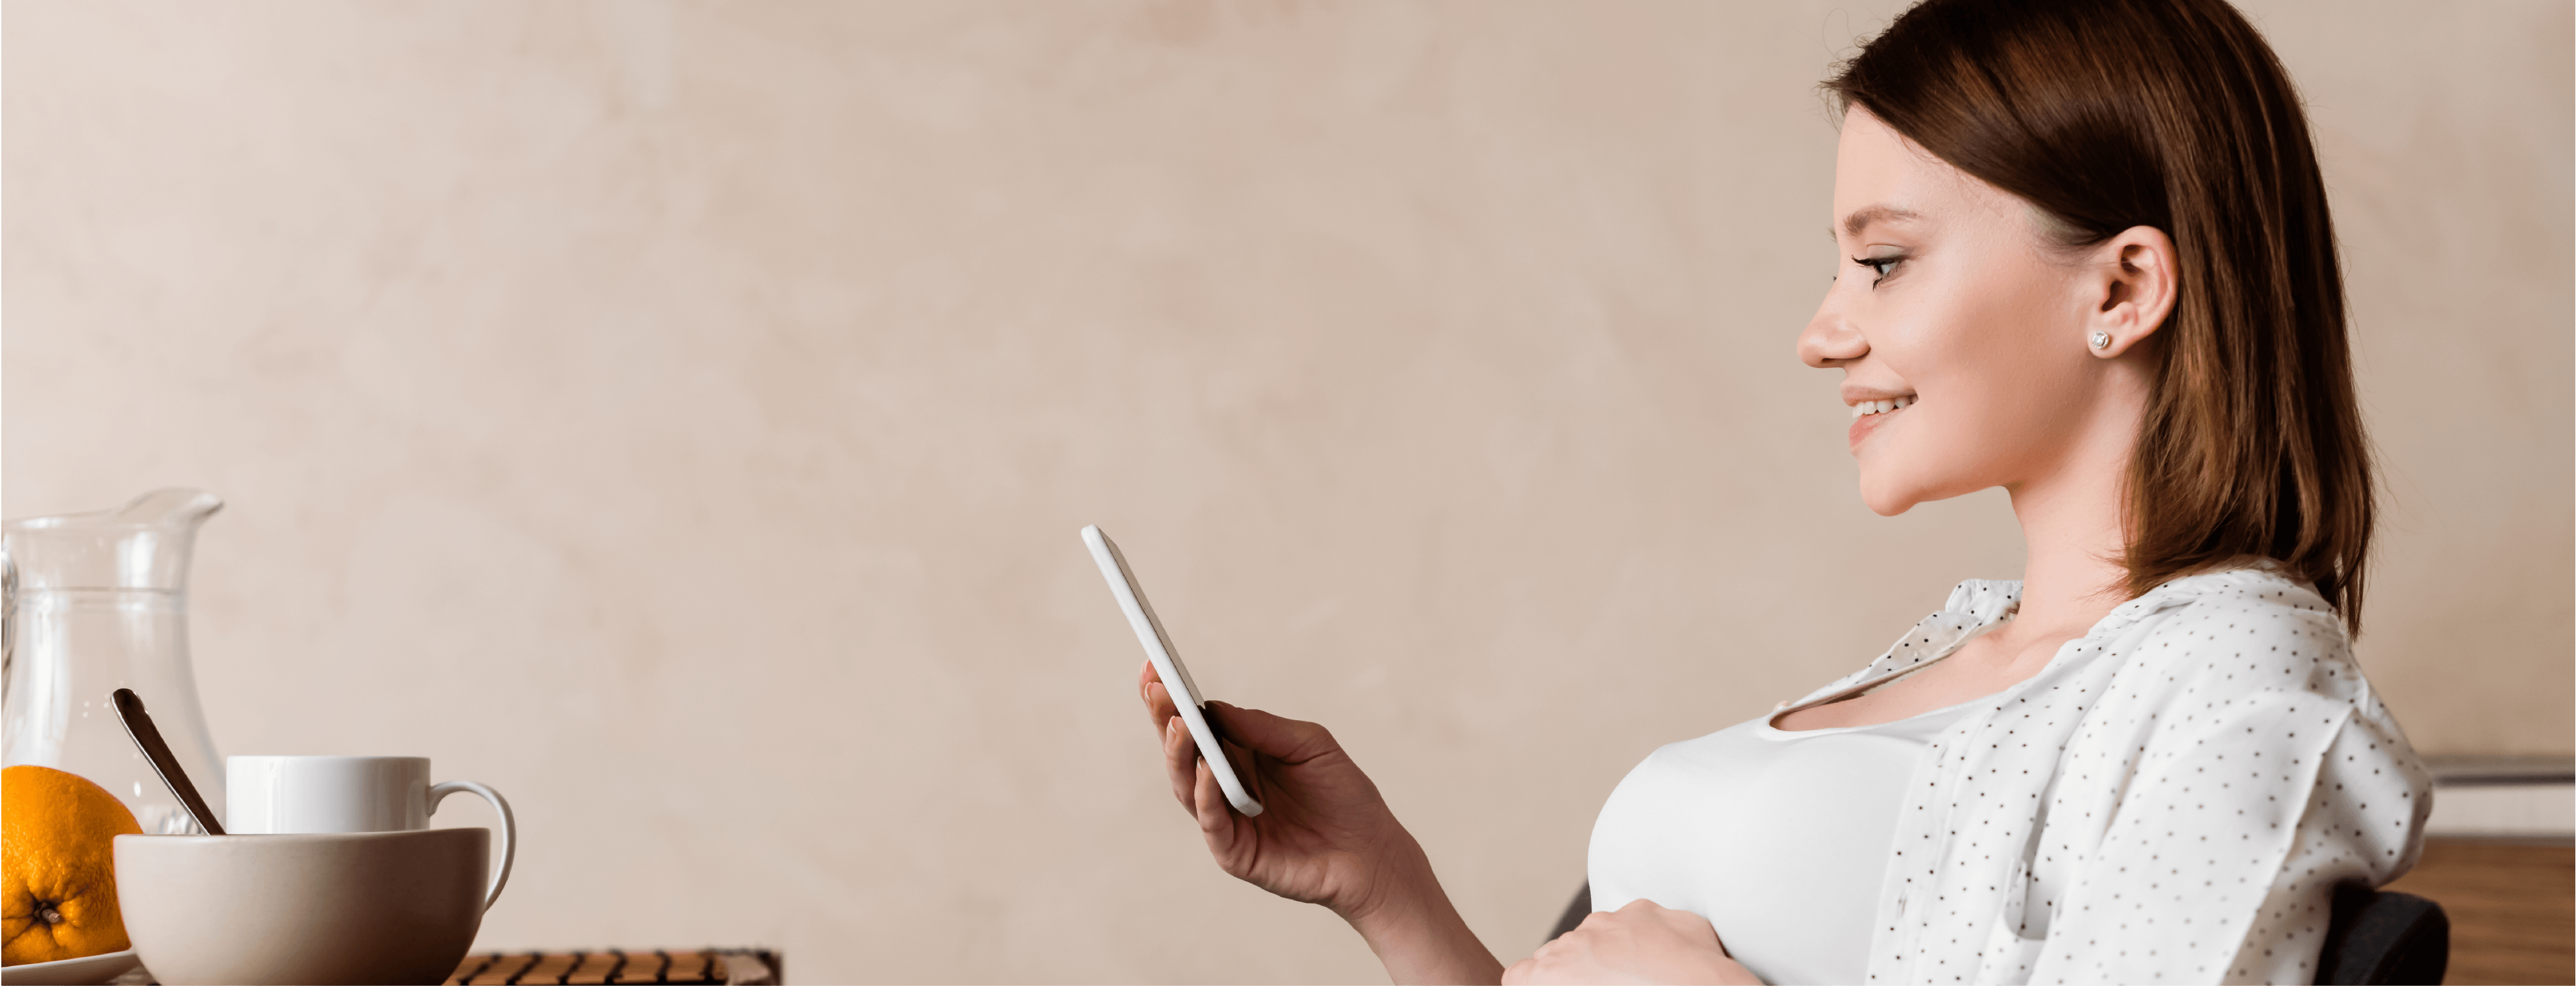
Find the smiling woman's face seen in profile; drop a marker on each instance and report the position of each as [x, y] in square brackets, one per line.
[1951, 308]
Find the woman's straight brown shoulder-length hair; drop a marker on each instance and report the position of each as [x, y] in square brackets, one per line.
[2173, 115]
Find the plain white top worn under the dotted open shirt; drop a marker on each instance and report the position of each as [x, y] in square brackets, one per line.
[1743, 810]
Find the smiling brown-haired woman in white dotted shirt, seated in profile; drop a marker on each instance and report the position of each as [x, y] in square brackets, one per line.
[2088, 261]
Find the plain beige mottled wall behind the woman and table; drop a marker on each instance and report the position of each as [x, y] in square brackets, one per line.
[679, 416]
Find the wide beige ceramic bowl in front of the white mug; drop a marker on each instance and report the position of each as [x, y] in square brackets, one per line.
[362, 907]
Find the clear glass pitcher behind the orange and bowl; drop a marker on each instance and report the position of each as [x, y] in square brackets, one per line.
[91, 604]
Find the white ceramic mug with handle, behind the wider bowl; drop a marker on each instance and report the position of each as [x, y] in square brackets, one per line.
[349, 794]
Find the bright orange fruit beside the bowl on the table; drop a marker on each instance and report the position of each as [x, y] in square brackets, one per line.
[58, 866]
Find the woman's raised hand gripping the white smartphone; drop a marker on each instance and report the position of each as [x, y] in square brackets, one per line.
[1323, 838]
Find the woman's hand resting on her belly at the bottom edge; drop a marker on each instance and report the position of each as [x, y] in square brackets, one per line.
[1640, 944]
